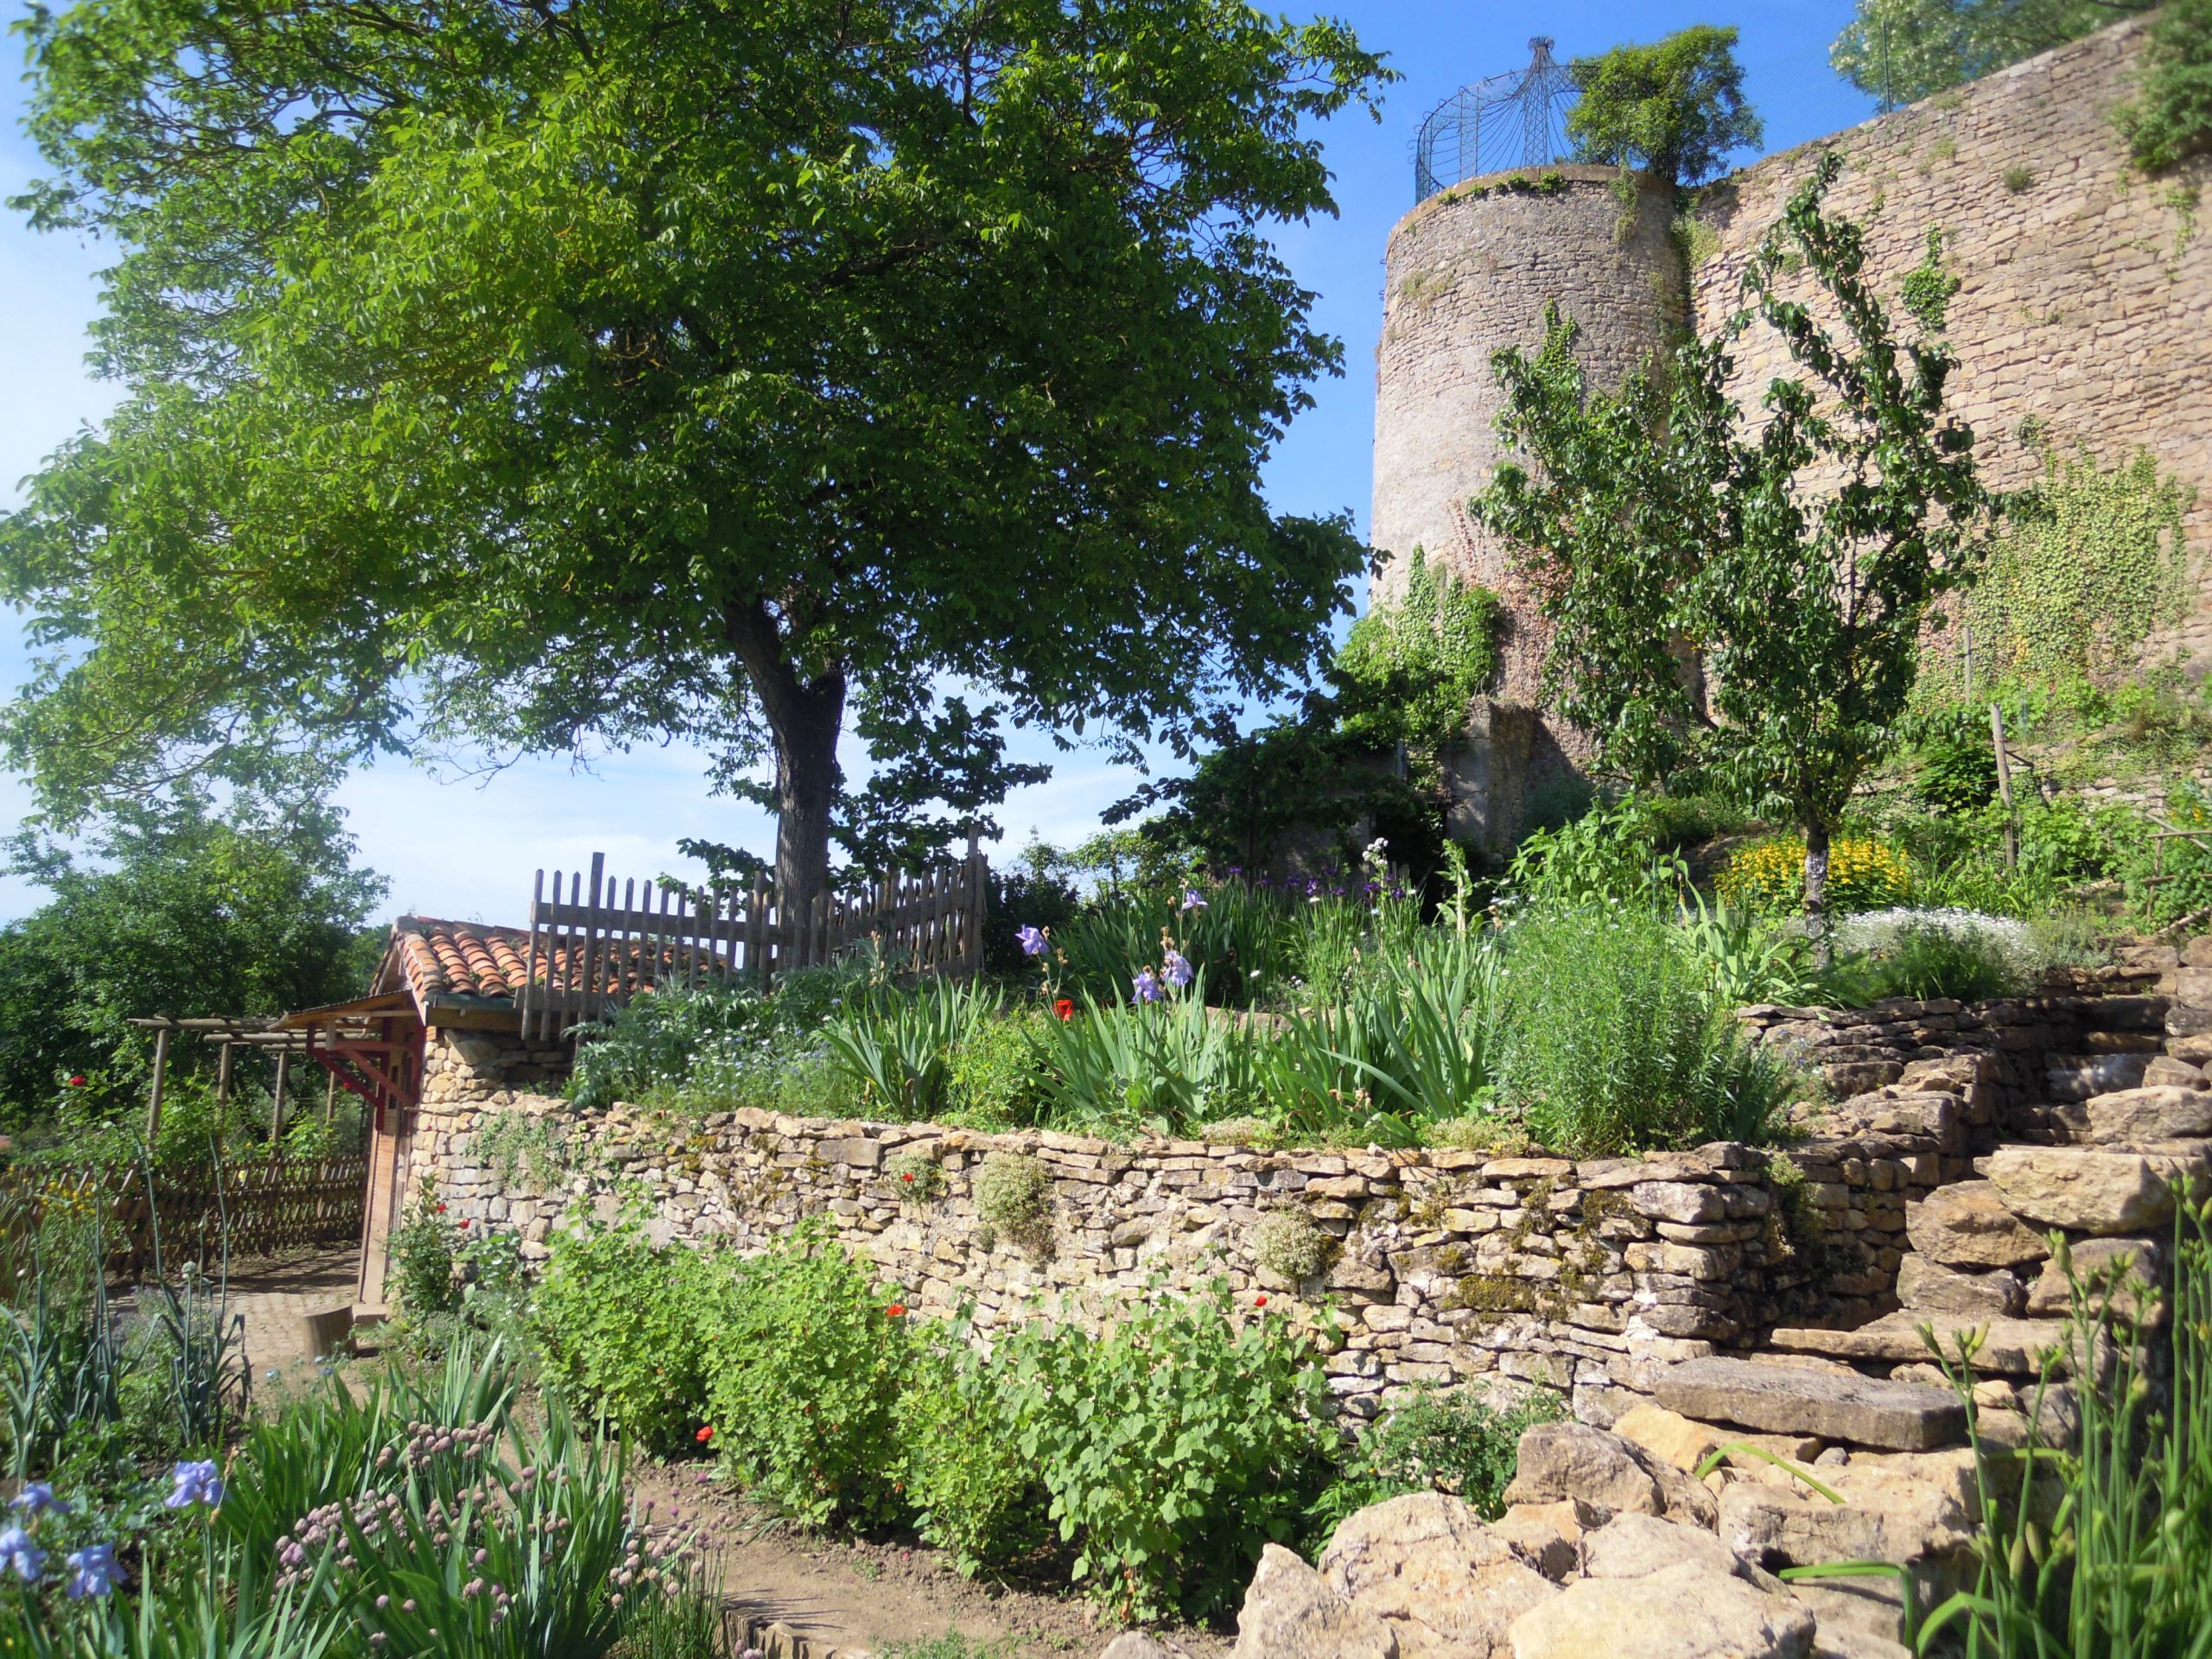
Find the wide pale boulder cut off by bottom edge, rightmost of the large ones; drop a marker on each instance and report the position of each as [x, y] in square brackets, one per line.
[1680, 1614]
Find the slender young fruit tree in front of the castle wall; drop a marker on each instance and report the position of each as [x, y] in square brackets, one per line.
[1738, 596]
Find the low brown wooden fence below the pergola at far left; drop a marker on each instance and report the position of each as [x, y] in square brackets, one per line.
[196, 1213]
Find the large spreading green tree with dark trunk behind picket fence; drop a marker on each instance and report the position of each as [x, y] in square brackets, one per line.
[594, 373]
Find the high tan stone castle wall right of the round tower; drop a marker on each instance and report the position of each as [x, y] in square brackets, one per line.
[2087, 293]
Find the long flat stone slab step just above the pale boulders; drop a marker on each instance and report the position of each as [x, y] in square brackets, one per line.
[1833, 1406]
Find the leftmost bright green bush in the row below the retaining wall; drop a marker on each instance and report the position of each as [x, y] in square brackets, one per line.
[623, 1331]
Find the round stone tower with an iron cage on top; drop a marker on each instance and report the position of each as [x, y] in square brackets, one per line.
[1468, 273]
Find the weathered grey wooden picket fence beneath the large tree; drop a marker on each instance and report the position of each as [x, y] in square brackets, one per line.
[592, 950]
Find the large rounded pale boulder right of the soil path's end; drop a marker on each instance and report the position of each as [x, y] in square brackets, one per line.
[1443, 1583]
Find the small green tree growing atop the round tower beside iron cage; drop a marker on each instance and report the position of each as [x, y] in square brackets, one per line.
[1673, 107]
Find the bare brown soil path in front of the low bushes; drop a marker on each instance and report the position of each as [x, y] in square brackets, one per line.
[862, 1594]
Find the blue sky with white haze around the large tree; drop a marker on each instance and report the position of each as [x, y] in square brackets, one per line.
[468, 851]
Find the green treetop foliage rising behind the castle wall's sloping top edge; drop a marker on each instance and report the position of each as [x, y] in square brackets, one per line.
[1906, 50]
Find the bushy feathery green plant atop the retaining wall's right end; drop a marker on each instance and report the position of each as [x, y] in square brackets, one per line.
[1614, 1043]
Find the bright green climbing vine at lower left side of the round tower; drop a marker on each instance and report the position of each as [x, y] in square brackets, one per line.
[1412, 667]
